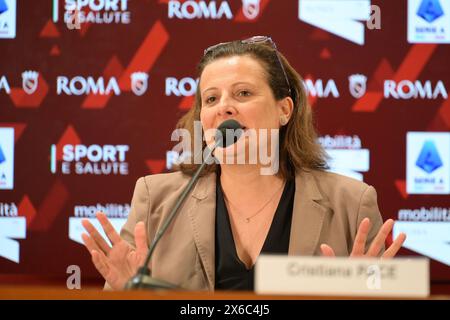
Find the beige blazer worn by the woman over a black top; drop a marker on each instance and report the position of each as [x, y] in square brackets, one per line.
[327, 209]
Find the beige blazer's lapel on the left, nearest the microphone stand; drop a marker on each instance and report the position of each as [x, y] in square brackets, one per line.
[203, 218]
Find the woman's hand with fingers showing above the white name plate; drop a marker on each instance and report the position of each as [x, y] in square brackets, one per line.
[374, 250]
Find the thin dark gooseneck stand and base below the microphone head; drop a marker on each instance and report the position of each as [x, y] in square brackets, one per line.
[143, 278]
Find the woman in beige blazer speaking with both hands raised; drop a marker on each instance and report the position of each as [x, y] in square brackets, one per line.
[235, 212]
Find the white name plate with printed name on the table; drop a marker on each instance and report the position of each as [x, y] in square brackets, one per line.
[342, 276]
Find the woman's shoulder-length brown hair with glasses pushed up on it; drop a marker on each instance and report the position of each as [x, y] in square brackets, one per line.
[299, 148]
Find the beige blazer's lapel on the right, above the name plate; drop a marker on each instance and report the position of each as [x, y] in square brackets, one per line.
[308, 215]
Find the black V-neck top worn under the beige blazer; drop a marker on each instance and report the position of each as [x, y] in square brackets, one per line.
[231, 272]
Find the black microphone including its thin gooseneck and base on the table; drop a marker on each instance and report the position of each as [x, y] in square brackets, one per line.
[143, 278]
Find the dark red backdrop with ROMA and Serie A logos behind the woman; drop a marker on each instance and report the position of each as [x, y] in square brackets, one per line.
[90, 92]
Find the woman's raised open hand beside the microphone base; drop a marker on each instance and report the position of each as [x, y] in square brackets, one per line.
[117, 264]
